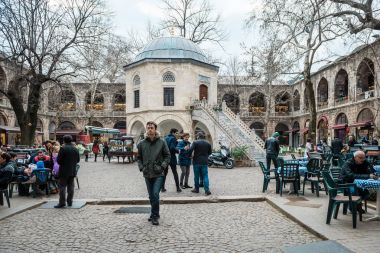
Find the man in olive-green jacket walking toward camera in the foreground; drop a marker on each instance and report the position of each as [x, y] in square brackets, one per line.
[153, 157]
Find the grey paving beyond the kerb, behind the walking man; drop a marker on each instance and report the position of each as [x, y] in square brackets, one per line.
[112, 180]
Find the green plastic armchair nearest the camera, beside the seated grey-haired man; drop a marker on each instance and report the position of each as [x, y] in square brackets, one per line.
[336, 199]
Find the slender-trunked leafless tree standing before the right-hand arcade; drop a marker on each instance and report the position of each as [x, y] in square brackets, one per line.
[307, 26]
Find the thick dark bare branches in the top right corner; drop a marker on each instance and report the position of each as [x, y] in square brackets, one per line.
[359, 15]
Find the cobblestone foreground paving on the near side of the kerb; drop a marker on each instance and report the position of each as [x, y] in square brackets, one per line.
[224, 227]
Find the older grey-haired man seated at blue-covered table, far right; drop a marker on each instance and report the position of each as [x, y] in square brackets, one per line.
[358, 168]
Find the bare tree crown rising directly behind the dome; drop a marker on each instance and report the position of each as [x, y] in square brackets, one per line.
[195, 20]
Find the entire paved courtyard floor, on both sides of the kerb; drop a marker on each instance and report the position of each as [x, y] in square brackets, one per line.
[236, 226]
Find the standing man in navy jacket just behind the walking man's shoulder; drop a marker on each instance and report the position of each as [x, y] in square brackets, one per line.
[171, 141]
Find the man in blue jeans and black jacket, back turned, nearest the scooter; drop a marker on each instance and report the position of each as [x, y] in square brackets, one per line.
[201, 149]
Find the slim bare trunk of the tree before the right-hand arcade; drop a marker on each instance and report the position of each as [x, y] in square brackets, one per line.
[312, 107]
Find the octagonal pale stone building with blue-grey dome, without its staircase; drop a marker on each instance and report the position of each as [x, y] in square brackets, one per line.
[163, 80]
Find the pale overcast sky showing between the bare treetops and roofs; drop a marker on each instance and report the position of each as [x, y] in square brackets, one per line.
[135, 14]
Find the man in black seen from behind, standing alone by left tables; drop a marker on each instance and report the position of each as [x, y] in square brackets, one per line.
[68, 158]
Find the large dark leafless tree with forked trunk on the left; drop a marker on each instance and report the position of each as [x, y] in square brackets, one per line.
[41, 38]
